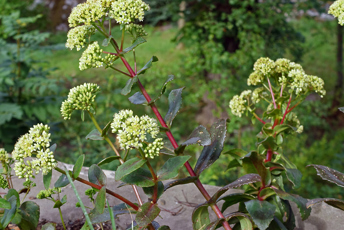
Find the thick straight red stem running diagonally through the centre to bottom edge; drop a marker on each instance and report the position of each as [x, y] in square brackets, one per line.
[187, 165]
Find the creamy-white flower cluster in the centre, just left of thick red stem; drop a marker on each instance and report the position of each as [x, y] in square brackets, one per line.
[132, 131]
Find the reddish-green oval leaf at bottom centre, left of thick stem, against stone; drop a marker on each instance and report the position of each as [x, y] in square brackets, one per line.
[146, 214]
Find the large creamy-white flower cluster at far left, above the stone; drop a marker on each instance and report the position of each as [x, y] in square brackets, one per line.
[36, 142]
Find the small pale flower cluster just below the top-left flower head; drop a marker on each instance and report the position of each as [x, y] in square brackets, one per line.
[76, 37]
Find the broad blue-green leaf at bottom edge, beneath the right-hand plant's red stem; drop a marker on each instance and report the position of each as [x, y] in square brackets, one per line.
[261, 212]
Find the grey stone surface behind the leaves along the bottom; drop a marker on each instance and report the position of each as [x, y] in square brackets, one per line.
[176, 204]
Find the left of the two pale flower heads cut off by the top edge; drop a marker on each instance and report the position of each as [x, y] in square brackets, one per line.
[86, 13]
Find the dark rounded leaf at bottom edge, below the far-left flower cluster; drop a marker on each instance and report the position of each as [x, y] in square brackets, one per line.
[30, 212]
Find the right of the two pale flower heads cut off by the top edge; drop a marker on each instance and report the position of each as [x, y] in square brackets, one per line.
[126, 11]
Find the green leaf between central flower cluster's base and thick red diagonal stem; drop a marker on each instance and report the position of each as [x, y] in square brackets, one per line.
[171, 167]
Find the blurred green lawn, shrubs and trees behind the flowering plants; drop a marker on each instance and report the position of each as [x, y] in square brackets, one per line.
[210, 51]
